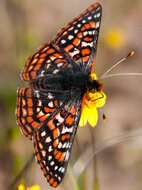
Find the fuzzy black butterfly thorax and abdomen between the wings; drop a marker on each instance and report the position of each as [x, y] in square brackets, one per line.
[64, 81]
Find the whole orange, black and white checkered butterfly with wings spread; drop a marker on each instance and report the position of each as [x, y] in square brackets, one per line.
[58, 74]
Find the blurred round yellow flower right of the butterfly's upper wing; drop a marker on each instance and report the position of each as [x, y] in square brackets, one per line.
[115, 38]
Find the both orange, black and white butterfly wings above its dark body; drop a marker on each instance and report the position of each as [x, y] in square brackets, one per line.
[78, 39]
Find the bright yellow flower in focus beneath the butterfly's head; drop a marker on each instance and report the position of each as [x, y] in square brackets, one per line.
[92, 102]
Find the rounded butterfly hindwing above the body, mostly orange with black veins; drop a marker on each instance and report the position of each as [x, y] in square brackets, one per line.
[47, 60]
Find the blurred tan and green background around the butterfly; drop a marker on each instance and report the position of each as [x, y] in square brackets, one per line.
[24, 26]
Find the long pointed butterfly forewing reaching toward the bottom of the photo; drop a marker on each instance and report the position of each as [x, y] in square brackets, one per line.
[53, 143]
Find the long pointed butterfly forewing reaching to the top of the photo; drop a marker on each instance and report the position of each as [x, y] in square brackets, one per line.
[79, 37]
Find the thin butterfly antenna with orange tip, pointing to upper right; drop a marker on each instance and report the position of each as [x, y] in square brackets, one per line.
[116, 64]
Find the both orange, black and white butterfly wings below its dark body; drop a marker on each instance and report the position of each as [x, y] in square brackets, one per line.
[51, 120]
